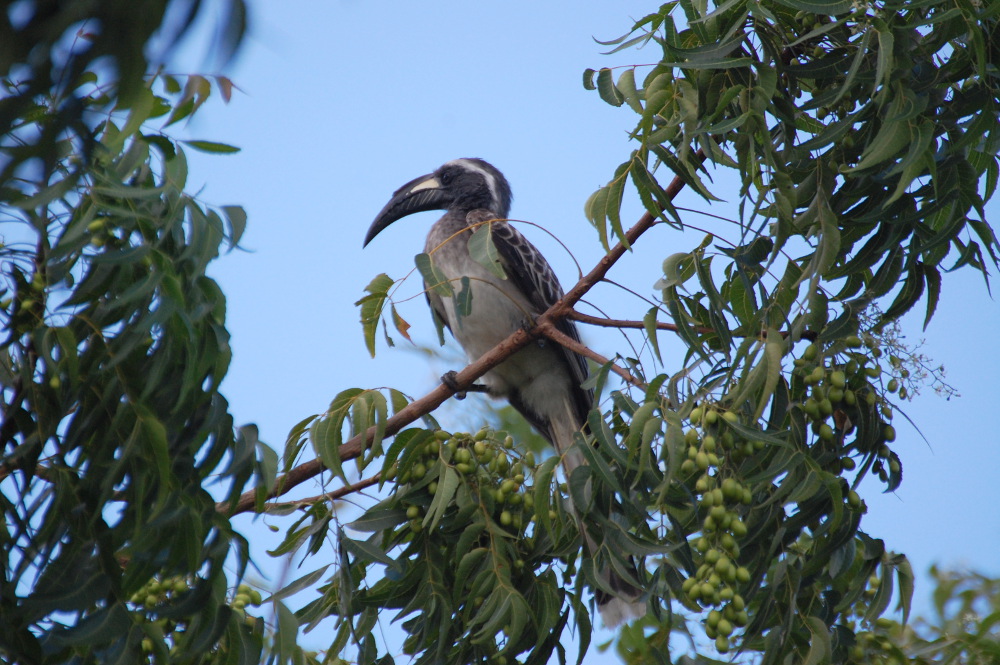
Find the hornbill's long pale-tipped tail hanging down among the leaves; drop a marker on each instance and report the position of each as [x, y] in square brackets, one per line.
[624, 601]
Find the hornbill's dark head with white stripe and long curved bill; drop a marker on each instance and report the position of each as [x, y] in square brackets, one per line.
[460, 185]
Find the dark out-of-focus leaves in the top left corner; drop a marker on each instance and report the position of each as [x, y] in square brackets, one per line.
[49, 49]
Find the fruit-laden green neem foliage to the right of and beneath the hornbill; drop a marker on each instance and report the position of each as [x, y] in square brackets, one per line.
[863, 136]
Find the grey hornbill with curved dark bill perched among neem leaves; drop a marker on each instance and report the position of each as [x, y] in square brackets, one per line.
[543, 381]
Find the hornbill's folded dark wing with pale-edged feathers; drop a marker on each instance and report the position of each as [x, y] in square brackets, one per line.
[528, 270]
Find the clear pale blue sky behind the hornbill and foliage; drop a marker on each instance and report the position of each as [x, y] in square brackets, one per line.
[345, 101]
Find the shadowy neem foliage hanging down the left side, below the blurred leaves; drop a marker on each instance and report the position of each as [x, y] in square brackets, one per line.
[114, 345]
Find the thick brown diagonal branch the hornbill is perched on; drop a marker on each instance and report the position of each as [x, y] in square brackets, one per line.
[520, 338]
